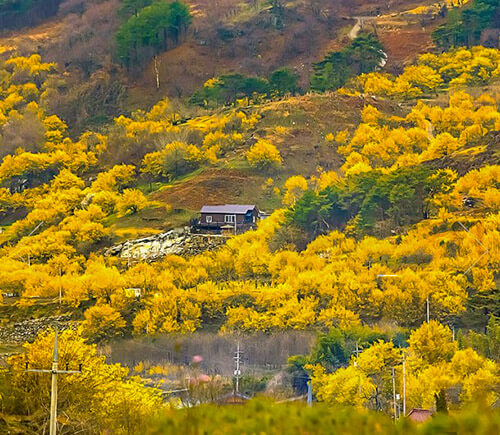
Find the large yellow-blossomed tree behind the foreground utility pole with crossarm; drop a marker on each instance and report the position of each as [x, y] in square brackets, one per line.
[102, 397]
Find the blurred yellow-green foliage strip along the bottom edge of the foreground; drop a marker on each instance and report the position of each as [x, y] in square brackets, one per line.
[260, 416]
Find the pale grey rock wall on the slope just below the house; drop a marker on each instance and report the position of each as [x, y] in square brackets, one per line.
[175, 242]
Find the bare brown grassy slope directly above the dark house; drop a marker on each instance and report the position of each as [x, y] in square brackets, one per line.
[298, 127]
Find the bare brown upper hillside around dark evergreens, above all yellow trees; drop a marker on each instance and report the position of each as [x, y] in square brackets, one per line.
[80, 39]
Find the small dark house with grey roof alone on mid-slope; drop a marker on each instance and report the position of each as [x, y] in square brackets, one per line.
[218, 217]
